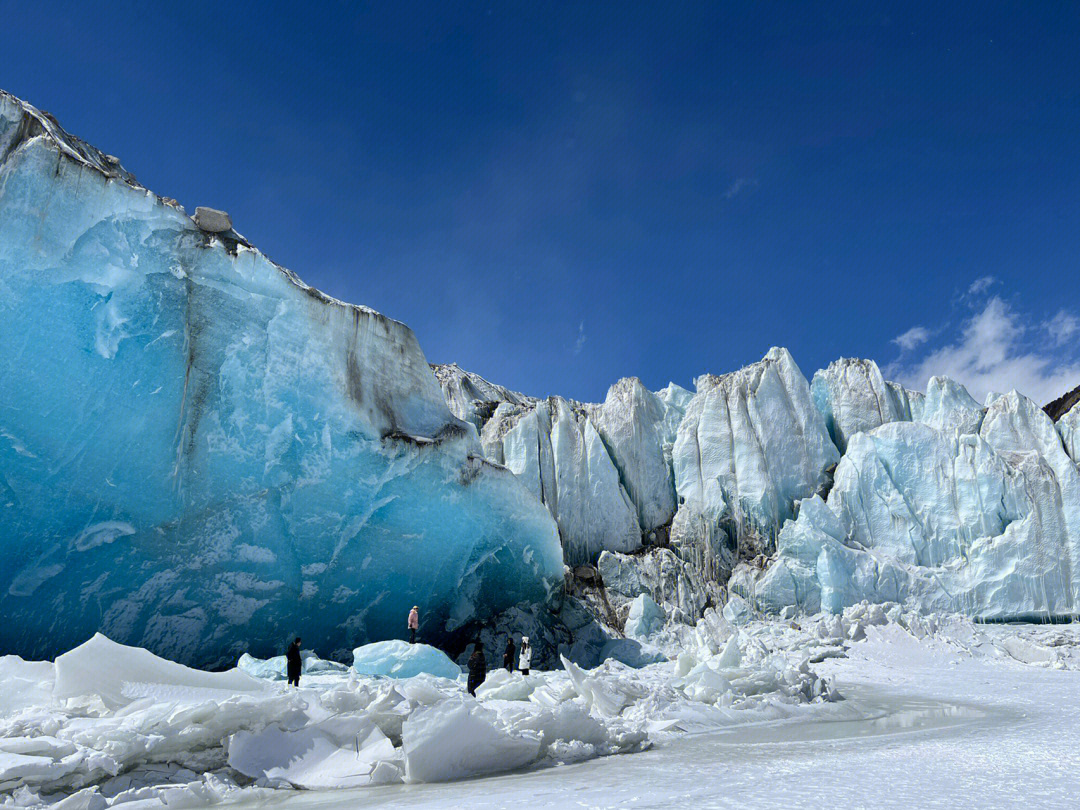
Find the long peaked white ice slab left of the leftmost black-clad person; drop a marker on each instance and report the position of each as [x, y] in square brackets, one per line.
[120, 676]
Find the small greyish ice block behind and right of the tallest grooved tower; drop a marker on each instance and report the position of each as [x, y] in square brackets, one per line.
[853, 397]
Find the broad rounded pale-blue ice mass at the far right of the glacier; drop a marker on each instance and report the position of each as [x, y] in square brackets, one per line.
[987, 524]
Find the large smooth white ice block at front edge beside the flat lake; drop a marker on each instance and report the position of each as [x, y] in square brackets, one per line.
[457, 739]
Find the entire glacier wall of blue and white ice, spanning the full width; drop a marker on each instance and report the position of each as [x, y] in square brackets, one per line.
[204, 456]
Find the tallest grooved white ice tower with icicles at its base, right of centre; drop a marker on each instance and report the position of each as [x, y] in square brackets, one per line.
[751, 447]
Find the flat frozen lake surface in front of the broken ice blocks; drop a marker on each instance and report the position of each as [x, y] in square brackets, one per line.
[937, 727]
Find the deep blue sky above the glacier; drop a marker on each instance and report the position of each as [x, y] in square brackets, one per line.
[559, 195]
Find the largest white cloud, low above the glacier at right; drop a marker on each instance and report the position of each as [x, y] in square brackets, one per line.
[996, 350]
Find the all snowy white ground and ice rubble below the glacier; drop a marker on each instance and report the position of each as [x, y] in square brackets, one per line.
[865, 711]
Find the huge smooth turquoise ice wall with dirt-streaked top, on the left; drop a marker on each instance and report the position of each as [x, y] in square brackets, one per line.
[200, 454]
